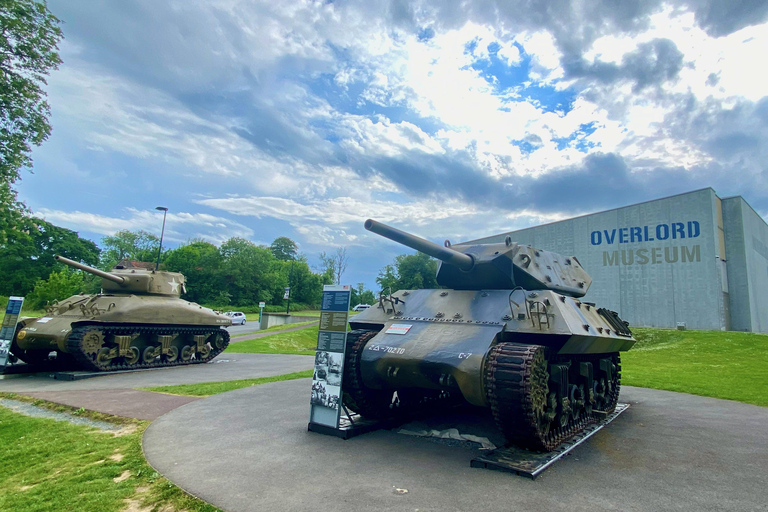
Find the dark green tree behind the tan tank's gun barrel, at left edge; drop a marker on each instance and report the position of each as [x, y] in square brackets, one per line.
[30, 255]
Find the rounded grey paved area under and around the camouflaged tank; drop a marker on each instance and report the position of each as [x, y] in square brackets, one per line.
[669, 451]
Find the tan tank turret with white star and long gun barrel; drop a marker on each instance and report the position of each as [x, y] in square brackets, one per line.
[134, 281]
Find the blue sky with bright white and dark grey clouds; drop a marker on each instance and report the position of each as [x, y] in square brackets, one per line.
[448, 119]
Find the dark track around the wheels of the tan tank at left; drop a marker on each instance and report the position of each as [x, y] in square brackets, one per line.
[76, 349]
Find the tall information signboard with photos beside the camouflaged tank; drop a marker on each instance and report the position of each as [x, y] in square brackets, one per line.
[325, 402]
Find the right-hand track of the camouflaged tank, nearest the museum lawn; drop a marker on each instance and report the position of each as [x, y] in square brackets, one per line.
[516, 408]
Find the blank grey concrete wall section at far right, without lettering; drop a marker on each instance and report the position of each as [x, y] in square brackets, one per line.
[747, 250]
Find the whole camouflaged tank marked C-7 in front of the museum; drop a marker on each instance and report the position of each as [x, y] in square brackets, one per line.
[508, 332]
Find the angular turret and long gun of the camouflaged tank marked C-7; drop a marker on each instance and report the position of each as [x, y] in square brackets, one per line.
[500, 266]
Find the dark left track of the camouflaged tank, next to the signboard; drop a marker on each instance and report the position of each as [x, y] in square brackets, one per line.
[369, 403]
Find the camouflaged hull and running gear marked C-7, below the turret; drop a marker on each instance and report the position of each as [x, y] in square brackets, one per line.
[471, 343]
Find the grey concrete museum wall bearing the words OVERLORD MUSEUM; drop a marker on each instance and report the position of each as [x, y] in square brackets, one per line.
[650, 281]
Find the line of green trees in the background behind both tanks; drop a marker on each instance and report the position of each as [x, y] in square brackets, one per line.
[238, 273]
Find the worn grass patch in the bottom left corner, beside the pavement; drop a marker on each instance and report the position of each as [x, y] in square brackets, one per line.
[55, 465]
